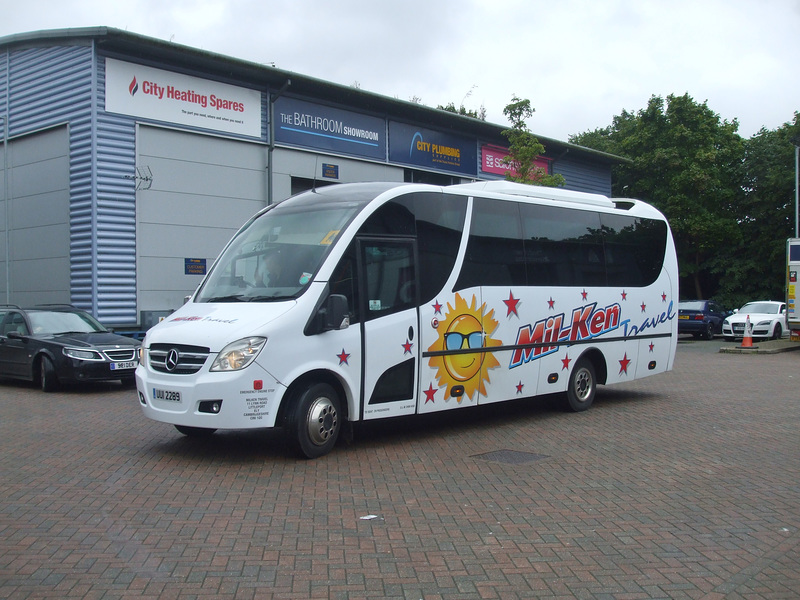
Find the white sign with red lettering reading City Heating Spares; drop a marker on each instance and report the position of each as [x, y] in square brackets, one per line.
[150, 93]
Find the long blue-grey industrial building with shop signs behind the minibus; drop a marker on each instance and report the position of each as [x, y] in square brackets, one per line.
[127, 162]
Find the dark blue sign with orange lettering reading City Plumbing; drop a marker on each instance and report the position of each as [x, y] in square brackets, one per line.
[431, 149]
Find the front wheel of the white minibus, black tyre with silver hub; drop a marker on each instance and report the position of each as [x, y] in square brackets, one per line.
[314, 420]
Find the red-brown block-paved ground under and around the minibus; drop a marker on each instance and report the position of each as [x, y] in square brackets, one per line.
[683, 485]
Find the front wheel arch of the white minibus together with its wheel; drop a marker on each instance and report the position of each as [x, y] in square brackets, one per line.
[313, 414]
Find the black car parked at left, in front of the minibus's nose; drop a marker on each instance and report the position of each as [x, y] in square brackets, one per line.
[57, 344]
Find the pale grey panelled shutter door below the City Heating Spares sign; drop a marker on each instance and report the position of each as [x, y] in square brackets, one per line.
[203, 189]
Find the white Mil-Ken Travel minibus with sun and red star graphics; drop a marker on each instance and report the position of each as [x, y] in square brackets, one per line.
[375, 300]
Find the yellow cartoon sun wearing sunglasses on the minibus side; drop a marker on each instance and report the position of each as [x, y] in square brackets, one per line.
[461, 329]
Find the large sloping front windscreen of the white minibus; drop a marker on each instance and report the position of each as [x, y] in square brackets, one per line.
[276, 255]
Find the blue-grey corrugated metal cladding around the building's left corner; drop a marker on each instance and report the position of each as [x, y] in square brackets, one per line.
[57, 85]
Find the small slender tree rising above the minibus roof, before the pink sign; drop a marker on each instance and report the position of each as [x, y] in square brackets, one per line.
[524, 148]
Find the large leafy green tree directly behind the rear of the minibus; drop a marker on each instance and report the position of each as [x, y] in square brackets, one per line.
[689, 164]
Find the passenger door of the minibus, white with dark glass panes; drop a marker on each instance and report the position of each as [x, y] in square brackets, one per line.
[390, 326]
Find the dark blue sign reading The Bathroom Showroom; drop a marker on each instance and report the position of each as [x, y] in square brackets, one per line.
[310, 125]
